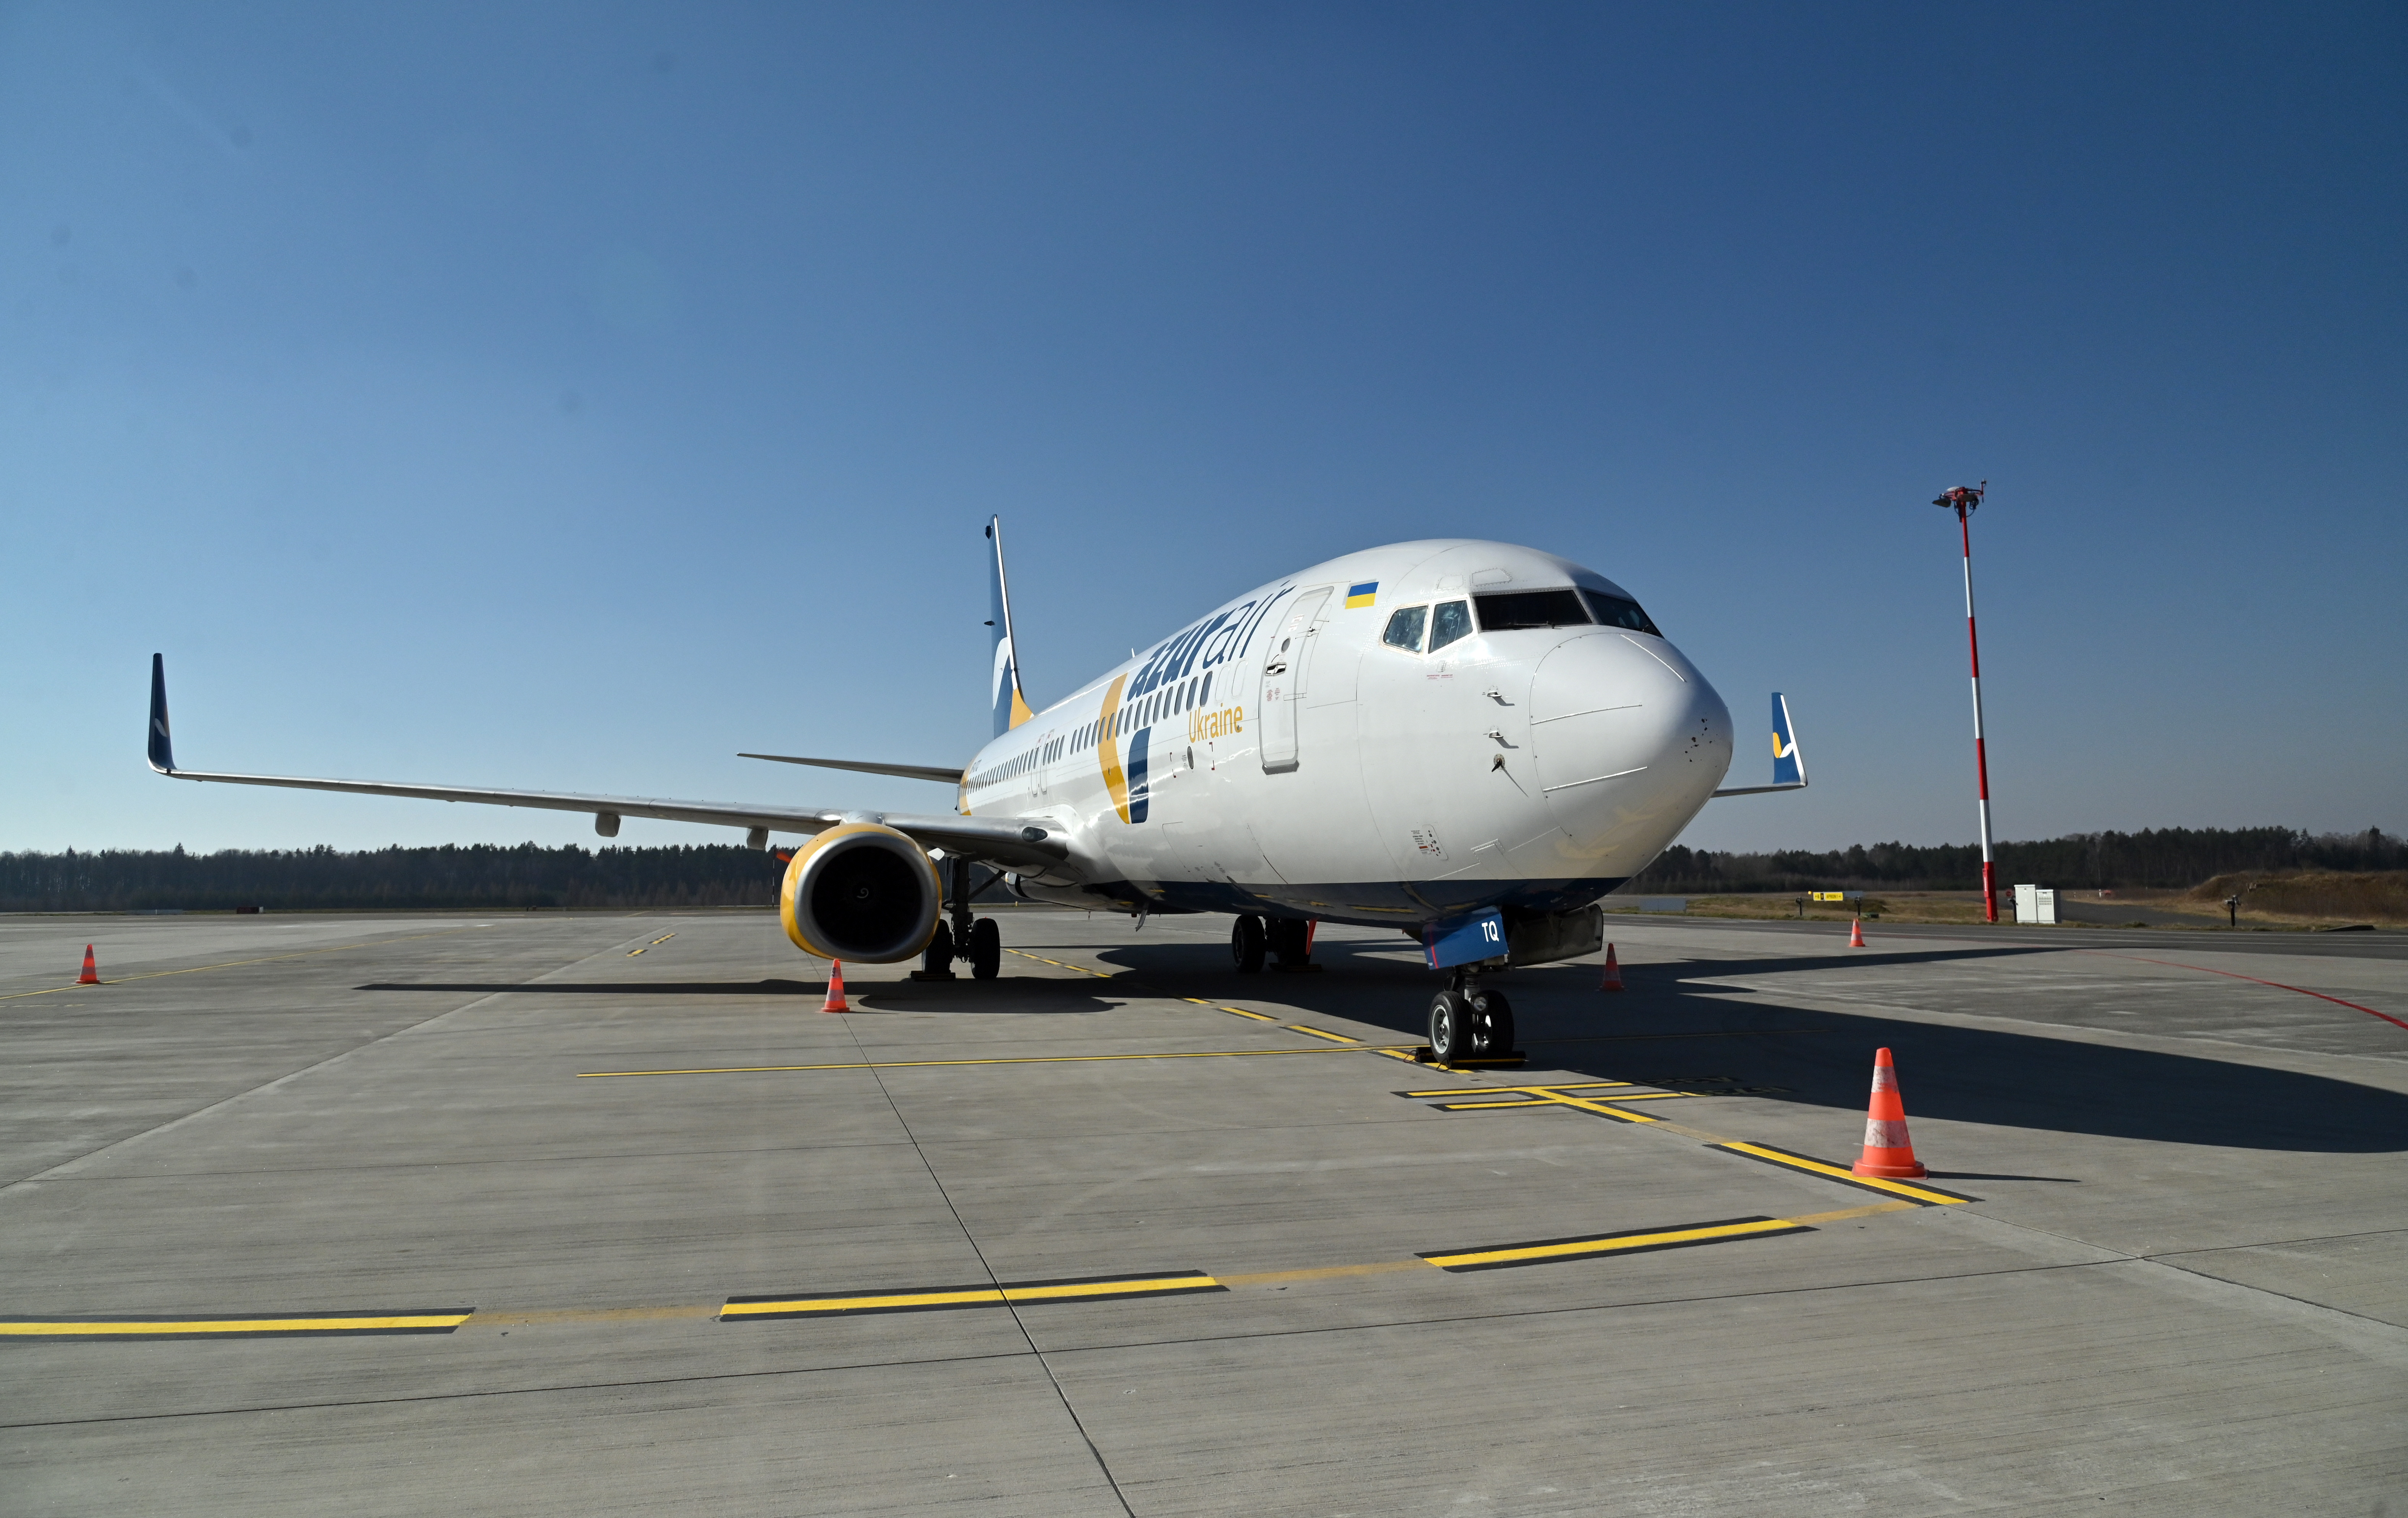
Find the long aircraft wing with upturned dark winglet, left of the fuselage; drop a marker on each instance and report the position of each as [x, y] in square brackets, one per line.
[1013, 842]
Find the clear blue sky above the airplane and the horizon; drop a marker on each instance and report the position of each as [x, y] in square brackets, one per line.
[572, 396]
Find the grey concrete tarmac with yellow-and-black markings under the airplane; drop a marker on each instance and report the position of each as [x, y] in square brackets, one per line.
[603, 1216]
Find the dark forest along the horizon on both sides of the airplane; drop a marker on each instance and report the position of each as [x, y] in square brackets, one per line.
[497, 878]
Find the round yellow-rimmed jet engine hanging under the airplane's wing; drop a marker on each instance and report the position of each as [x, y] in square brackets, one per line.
[861, 893]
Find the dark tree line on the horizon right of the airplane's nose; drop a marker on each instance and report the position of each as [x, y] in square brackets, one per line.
[2164, 859]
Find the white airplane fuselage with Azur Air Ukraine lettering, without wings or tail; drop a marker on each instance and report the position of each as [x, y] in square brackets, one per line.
[1280, 755]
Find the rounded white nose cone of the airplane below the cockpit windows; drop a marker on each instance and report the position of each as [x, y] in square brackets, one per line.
[1629, 741]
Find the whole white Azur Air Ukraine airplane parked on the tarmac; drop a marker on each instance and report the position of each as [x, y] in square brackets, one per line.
[1465, 741]
